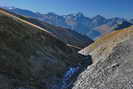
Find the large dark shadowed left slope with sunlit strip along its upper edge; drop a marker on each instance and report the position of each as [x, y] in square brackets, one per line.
[30, 56]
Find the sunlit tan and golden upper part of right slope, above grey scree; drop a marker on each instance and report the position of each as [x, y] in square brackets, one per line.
[105, 44]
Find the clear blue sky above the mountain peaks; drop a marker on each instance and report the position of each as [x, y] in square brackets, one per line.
[107, 8]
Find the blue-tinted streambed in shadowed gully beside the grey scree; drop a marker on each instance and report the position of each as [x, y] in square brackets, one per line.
[73, 73]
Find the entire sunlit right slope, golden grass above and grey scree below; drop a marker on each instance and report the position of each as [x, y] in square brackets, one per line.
[112, 66]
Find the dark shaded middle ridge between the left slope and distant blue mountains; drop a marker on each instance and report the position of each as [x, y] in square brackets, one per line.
[69, 37]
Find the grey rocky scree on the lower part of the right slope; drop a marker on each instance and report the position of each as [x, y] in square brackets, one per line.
[110, 72]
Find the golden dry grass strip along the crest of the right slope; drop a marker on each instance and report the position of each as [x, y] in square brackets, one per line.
[109, 40]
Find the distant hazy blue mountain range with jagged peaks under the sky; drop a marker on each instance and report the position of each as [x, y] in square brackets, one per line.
[92, 27]
